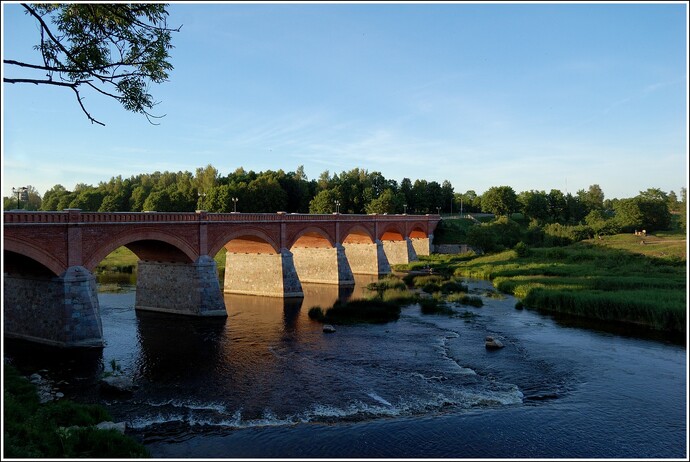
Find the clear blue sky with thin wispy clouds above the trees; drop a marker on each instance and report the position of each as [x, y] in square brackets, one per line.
[533, 96]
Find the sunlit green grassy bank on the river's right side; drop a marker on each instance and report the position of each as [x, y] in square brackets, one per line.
[610, 279]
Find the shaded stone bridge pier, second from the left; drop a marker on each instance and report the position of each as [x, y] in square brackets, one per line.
[180, 288]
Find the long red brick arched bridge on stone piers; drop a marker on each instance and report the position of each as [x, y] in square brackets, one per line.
[50, 293]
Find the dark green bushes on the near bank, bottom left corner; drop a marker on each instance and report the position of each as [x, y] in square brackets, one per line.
[58, 429]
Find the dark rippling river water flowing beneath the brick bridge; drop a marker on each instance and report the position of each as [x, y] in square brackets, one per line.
[267, 382]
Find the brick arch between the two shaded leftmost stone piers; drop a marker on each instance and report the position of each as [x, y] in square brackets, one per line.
[146, 244]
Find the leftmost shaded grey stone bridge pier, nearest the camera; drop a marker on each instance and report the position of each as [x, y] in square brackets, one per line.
[60, 311]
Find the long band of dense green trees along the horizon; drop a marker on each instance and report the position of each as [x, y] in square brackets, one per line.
[360, 192]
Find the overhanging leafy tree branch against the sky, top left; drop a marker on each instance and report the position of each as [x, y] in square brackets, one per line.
[114, 49]
